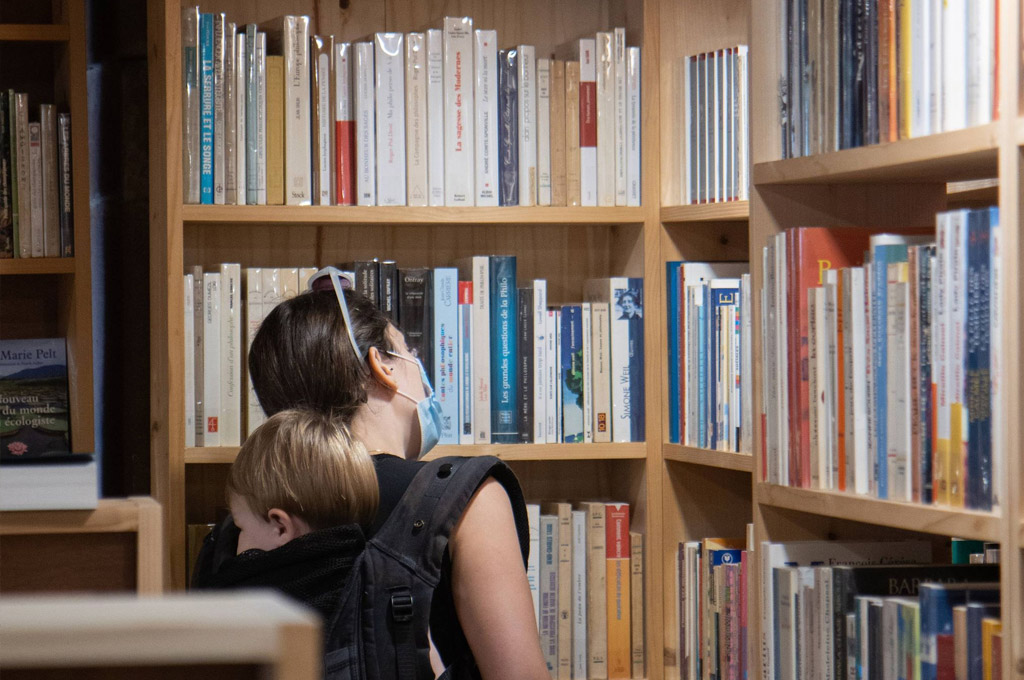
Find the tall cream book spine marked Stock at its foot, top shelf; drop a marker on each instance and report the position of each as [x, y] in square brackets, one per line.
[298, 160]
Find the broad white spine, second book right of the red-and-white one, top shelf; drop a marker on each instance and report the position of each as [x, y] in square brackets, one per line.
[391, 92]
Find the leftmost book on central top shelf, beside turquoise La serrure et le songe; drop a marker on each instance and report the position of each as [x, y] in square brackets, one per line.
[191, 96]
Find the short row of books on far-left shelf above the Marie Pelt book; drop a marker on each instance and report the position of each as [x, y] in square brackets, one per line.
[36, 216]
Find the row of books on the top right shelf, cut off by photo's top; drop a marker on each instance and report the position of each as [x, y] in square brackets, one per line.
[864, 72]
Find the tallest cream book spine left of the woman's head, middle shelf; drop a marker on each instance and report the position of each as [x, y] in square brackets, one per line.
[231, 356]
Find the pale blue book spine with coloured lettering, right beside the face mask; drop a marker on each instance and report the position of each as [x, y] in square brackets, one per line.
[446, 353]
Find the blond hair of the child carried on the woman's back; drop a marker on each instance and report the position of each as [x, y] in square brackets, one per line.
[307, 464]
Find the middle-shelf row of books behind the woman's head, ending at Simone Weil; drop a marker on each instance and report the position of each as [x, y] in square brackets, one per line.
[506, 367]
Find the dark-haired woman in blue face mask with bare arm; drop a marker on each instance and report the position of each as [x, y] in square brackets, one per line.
[335, 353]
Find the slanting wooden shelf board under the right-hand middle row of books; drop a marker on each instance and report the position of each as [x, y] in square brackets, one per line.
[924, 519]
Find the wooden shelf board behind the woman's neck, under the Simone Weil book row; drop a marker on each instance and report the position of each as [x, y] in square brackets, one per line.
[506, 452]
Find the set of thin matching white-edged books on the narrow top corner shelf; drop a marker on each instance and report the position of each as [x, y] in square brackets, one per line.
[716, 126]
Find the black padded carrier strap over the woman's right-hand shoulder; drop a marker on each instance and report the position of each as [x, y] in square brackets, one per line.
[418, 531]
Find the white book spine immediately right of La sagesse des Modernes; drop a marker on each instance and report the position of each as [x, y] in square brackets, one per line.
[486, 93]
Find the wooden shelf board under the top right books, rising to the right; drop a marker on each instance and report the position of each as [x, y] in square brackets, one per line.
[969, 154]
